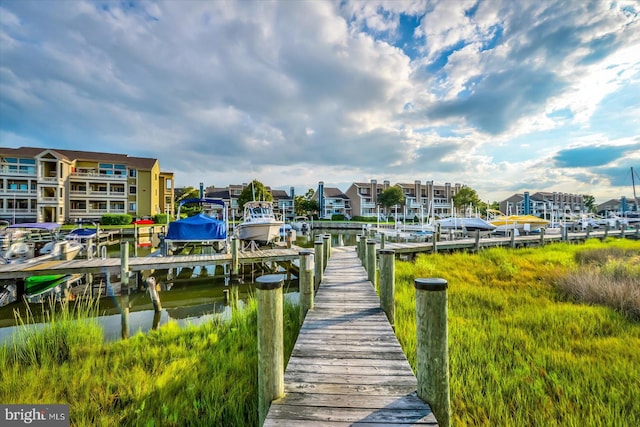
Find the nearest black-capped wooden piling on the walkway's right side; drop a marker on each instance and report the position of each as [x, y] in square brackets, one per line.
[432, 347]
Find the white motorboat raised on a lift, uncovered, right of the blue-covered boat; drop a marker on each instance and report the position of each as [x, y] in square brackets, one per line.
[259, 223]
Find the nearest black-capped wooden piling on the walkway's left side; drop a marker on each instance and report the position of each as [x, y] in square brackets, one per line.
[270, 342]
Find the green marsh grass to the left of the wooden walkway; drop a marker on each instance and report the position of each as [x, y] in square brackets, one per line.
[202, 375]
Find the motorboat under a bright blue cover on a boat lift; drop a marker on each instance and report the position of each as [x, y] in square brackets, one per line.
[205, 229]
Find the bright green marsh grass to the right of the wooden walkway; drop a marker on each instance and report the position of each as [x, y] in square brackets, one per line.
[521, 353]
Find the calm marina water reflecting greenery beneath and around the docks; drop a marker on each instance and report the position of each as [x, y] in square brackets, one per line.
[191, 301]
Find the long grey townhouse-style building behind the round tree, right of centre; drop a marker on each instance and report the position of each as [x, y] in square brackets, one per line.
[421, 200]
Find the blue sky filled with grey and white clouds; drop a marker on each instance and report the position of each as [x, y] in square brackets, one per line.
[504, 96]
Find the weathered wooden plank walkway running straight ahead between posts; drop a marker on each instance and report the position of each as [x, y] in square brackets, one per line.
[347, 367]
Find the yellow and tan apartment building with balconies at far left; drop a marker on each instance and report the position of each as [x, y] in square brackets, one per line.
[52, 185]
